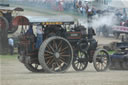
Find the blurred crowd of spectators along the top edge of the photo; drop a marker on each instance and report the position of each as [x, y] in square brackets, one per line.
[81, 7]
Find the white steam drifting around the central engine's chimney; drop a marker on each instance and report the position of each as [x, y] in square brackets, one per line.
[108, 20]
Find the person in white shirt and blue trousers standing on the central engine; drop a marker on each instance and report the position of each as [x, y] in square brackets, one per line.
[40, 32]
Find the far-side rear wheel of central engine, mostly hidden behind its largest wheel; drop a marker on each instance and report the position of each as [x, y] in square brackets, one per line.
[33, 65]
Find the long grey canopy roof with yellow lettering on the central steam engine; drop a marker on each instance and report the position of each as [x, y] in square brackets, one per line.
[45, 20]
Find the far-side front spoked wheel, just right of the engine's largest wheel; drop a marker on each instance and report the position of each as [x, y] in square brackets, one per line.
[80, 61]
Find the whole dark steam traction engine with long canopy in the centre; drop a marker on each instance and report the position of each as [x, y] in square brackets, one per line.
[62, 46]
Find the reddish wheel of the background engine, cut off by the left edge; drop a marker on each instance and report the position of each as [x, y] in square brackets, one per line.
[3, 24]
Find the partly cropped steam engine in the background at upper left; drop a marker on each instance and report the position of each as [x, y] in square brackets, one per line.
[7, 14]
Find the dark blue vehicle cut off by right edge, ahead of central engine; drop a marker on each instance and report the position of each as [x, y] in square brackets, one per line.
[119, 60]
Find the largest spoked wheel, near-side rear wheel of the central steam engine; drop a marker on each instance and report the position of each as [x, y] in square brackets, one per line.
[55, 54]
